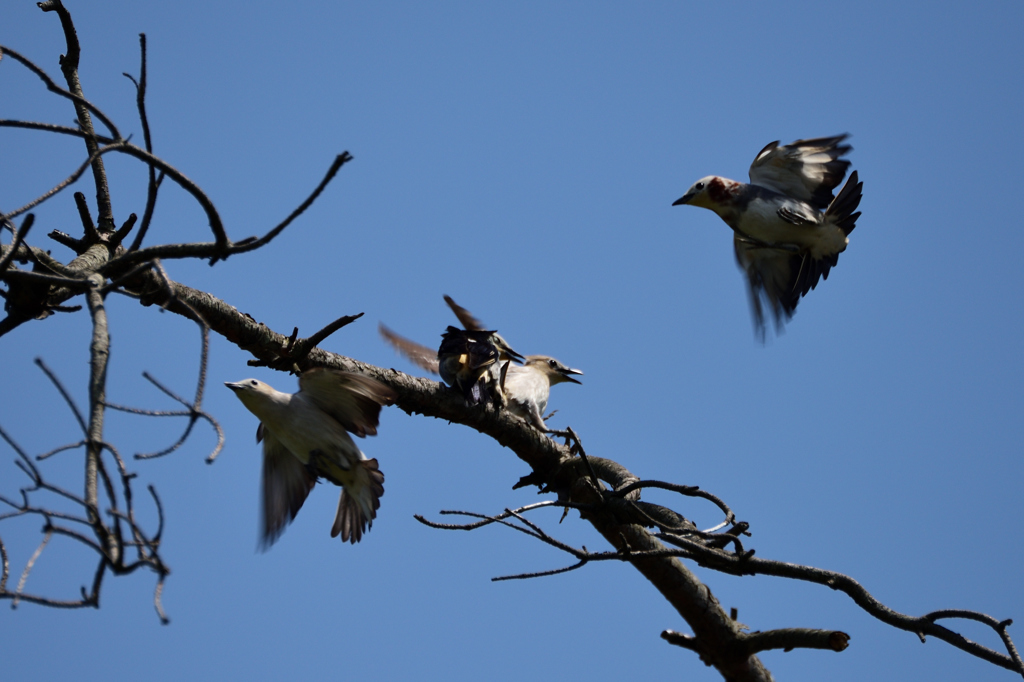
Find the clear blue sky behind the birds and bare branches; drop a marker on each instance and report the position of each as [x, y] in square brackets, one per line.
[524, 158]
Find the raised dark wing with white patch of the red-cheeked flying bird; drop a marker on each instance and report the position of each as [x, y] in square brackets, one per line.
[807, 169]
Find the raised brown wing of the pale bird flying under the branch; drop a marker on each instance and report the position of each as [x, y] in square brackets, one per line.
[355, 401]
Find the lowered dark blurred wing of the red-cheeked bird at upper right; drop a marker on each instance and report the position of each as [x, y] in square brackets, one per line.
[779, 276]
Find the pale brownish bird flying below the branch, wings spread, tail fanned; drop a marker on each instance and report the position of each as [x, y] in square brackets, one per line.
[306, 438]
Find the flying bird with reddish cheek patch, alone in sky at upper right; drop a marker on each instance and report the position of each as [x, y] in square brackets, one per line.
[788, 228]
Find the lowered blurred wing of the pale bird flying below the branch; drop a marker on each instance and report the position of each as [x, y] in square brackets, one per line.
[285, 487]
